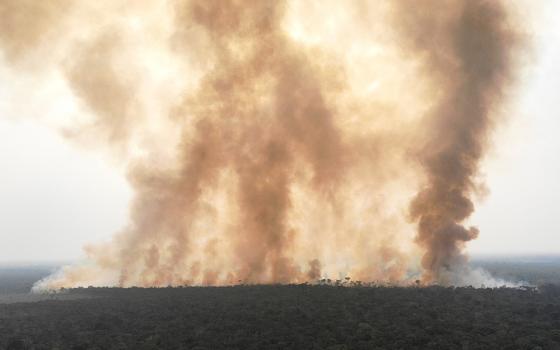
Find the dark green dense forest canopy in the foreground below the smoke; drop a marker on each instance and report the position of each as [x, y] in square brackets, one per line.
[287, 317]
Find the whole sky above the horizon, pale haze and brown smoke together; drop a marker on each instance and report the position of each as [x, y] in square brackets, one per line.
[87, 153]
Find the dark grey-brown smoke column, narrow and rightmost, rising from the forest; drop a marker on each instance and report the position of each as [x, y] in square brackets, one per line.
[466, 48]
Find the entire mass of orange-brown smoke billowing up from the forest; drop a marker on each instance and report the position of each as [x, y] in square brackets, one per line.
[266, 144]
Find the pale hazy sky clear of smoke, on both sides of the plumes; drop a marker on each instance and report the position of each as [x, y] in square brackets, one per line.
[55, 197]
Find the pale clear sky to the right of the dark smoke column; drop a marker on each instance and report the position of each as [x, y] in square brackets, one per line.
[522, 212]
